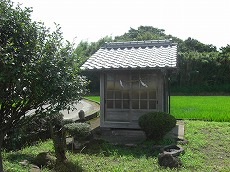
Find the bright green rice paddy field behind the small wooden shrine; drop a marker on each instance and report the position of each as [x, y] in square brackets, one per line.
[210, 108]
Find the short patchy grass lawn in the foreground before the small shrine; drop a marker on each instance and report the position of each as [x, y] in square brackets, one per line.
[207, 150]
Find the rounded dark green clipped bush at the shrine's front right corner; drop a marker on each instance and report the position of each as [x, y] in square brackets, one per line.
[156, 124]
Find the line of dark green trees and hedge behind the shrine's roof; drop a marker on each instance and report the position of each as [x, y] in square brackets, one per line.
[198, 63]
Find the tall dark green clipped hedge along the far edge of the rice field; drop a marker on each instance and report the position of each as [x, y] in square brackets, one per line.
[204, 69]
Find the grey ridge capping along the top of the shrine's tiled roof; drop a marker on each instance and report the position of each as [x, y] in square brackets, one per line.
[130, 44]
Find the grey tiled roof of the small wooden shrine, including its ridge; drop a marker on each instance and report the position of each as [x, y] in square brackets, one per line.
[136, 54]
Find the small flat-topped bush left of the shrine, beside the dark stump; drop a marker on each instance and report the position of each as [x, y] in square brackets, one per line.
[79, 131]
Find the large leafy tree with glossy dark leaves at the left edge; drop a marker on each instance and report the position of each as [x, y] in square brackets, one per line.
[38, 69]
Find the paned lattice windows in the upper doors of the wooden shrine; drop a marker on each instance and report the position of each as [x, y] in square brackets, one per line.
[131, 91]
